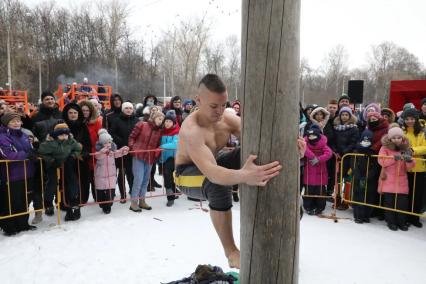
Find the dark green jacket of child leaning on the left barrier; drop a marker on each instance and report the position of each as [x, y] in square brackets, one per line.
[55, 152]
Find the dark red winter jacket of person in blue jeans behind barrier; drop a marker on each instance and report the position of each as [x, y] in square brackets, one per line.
[145, 136]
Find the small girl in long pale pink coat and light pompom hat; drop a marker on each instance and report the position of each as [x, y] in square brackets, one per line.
[105, 170]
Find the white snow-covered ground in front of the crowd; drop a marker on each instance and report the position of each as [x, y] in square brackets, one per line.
[167, 244]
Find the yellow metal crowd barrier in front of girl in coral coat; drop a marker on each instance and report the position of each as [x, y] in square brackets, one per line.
[379, 204]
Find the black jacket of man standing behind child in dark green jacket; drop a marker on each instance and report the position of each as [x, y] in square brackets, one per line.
[44, 120]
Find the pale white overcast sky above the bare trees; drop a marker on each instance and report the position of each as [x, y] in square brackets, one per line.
[356, 24]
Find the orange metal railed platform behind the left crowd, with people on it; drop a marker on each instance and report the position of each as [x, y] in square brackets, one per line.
[79, 92]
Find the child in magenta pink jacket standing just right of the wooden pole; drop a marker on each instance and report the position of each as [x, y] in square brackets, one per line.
[315, 176]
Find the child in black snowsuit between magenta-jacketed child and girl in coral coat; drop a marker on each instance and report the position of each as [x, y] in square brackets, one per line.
[364, 165]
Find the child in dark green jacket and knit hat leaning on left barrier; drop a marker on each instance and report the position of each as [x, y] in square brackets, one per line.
[60, 149]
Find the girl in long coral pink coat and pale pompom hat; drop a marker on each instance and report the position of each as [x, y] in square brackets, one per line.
[395, 157]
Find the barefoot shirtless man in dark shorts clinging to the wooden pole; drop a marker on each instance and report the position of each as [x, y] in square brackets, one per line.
[203, 172]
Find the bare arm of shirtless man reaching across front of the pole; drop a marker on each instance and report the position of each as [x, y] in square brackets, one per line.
[203, 158]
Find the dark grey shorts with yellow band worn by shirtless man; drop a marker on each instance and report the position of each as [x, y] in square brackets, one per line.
[219, 196]
